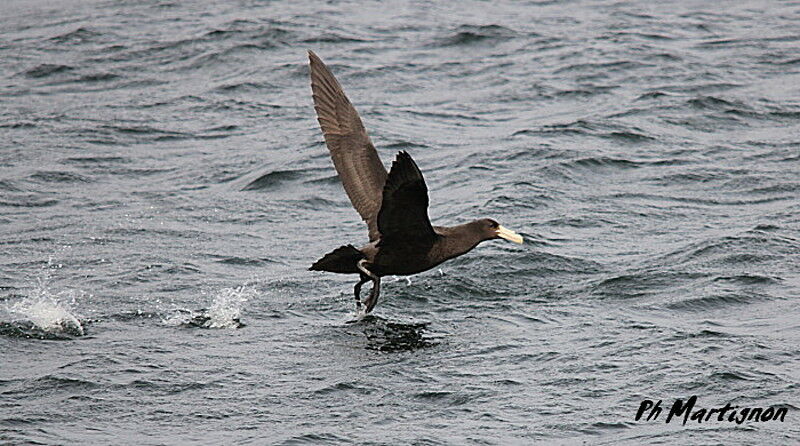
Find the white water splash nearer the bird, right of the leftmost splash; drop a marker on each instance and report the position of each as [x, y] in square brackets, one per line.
[224, 312]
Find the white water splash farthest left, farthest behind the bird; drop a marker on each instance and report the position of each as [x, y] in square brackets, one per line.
[47, 310]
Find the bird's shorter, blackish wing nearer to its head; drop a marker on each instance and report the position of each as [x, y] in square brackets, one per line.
[404, 211]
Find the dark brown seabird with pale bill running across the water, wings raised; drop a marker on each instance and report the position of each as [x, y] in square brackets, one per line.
[394, 205]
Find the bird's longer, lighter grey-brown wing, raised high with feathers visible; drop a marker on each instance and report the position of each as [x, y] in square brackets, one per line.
[353, 154]
